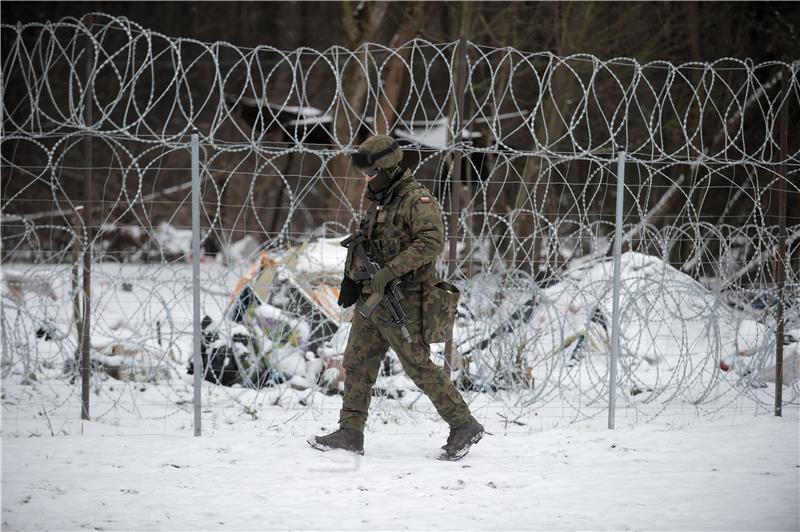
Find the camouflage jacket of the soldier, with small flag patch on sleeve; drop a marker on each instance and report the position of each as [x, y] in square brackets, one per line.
[404, 232]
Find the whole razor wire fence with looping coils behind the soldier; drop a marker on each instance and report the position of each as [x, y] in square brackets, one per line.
[520, 149]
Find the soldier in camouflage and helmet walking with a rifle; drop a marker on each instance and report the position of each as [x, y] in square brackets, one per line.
[404, 233]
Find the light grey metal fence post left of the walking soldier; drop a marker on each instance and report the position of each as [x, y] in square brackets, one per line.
[197, 362]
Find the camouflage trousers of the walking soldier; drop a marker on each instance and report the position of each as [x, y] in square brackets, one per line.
[369, 340]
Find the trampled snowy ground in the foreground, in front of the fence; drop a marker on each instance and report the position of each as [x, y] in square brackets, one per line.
[727, 471]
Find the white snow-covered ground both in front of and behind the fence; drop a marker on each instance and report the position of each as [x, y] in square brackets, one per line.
[695, 446]
